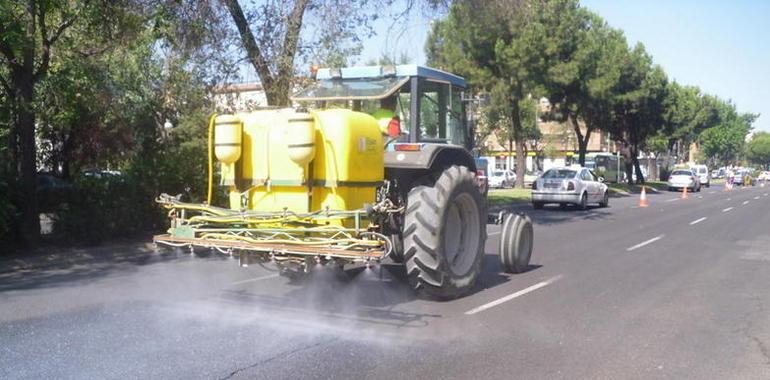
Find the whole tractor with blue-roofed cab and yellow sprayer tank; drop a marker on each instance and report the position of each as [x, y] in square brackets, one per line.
[370, 164]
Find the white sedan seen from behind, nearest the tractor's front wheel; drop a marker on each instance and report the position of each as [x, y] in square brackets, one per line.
[578, 186]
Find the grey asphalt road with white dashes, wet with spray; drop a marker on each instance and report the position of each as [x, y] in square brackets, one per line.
[680, 289]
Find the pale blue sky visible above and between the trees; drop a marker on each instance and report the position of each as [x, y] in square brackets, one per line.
[723, 47]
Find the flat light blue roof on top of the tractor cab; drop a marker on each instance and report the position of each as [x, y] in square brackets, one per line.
[361, 72]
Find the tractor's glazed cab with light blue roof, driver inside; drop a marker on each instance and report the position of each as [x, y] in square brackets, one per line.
[426, 104]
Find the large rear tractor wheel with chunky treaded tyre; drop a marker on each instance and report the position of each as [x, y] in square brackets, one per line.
[444, 235]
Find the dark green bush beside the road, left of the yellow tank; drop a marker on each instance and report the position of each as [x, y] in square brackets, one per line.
[123, 206]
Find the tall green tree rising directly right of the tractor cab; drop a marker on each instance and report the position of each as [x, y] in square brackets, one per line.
[503, 55]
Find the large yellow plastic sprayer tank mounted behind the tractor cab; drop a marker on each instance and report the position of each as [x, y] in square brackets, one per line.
[303, 162]
